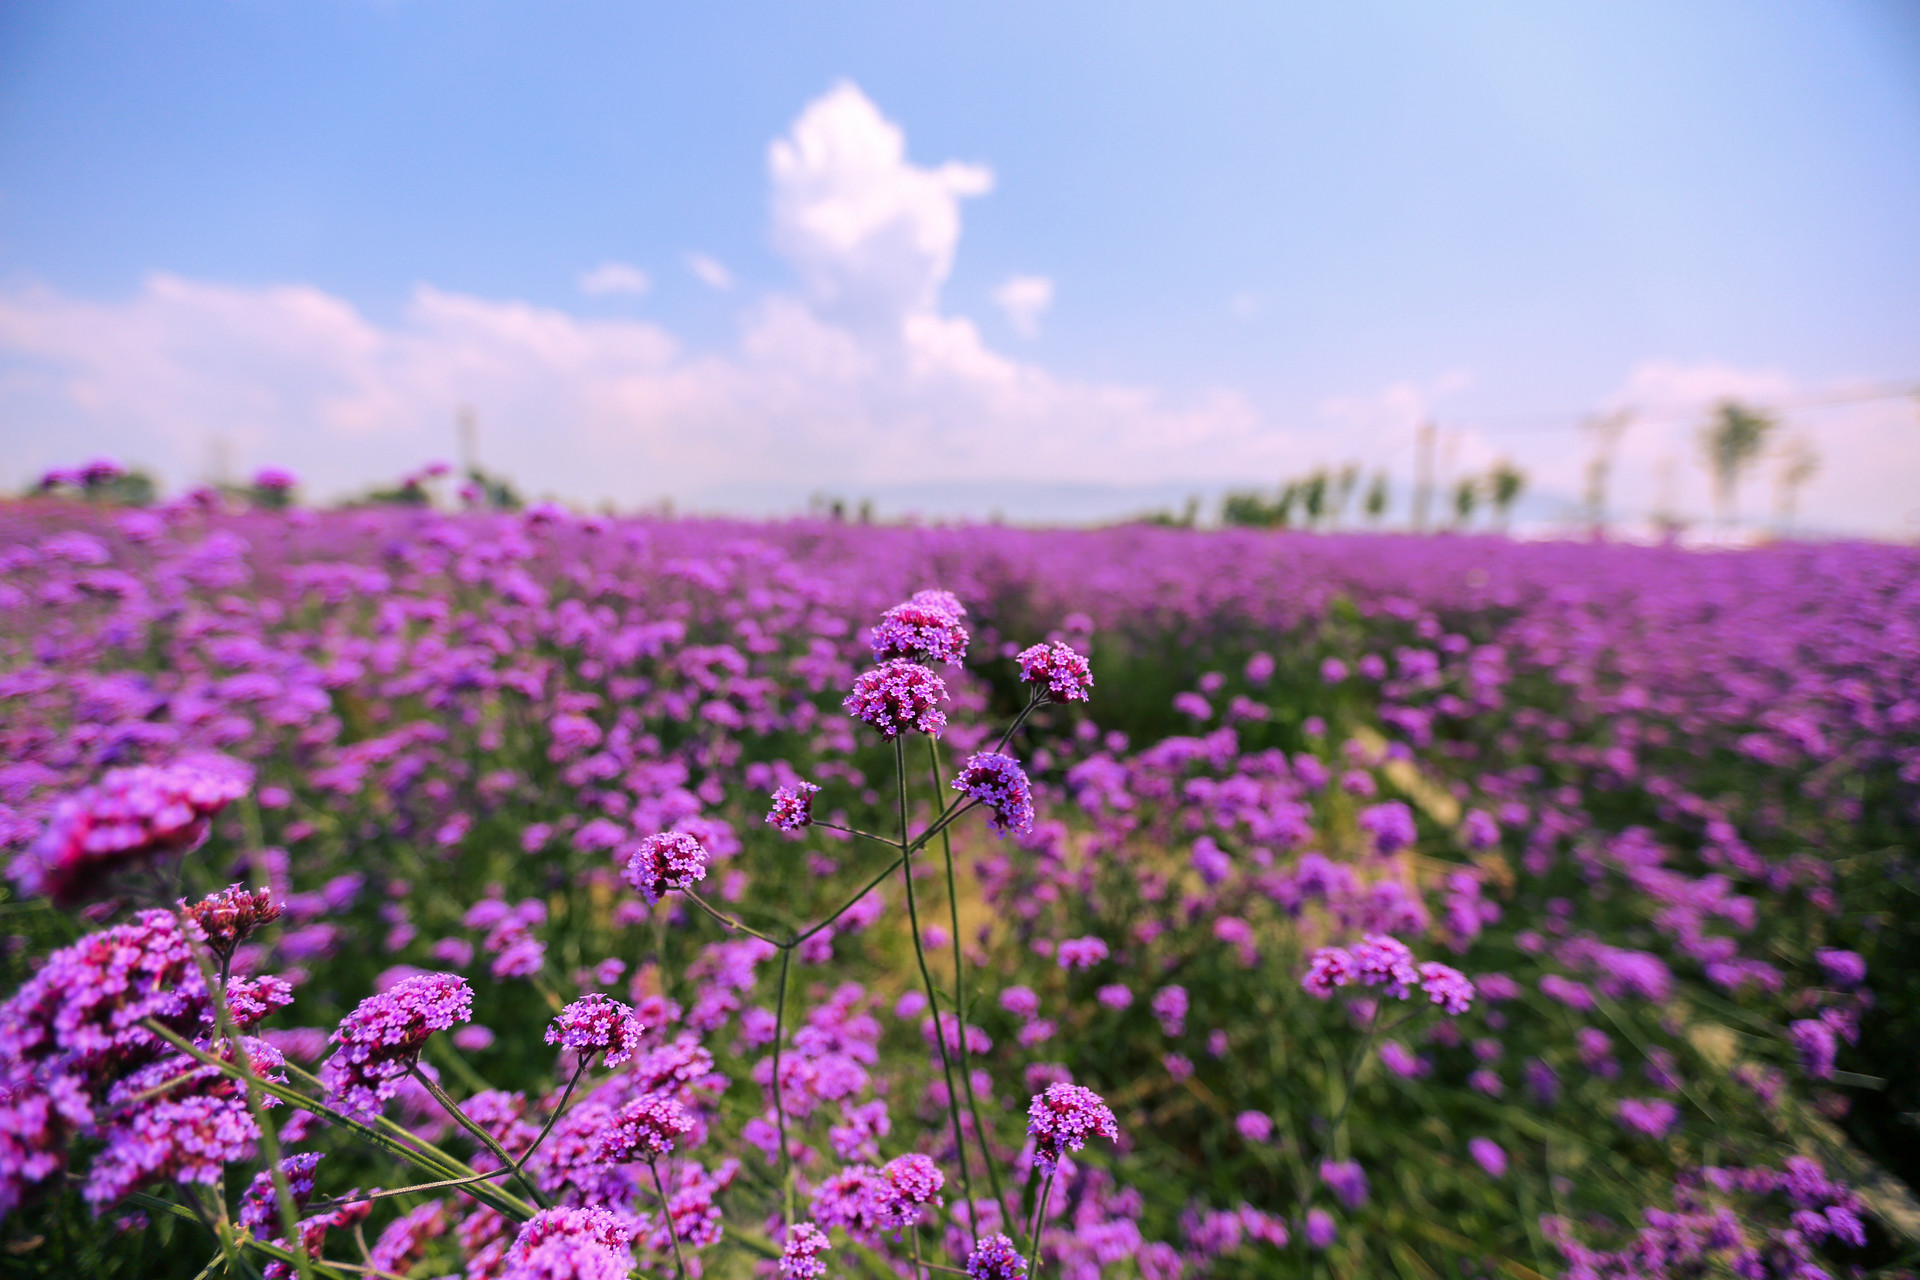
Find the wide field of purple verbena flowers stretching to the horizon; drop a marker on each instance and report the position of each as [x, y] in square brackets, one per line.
[398, 893]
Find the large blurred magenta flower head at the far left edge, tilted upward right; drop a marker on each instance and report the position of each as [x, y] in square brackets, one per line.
[124, 818]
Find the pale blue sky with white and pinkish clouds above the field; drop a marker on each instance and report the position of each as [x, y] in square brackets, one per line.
[1255, 239]
